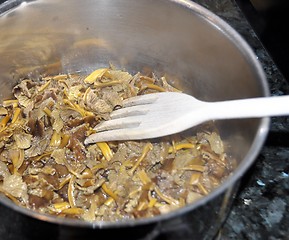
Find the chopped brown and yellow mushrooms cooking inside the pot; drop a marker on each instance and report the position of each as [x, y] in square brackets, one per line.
[45, 165]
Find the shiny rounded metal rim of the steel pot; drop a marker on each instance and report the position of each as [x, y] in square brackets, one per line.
[248, 160]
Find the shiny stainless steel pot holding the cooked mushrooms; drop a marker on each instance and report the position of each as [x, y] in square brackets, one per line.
[174, 37]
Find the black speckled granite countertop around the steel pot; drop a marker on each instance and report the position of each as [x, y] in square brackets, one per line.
[261, 207]
